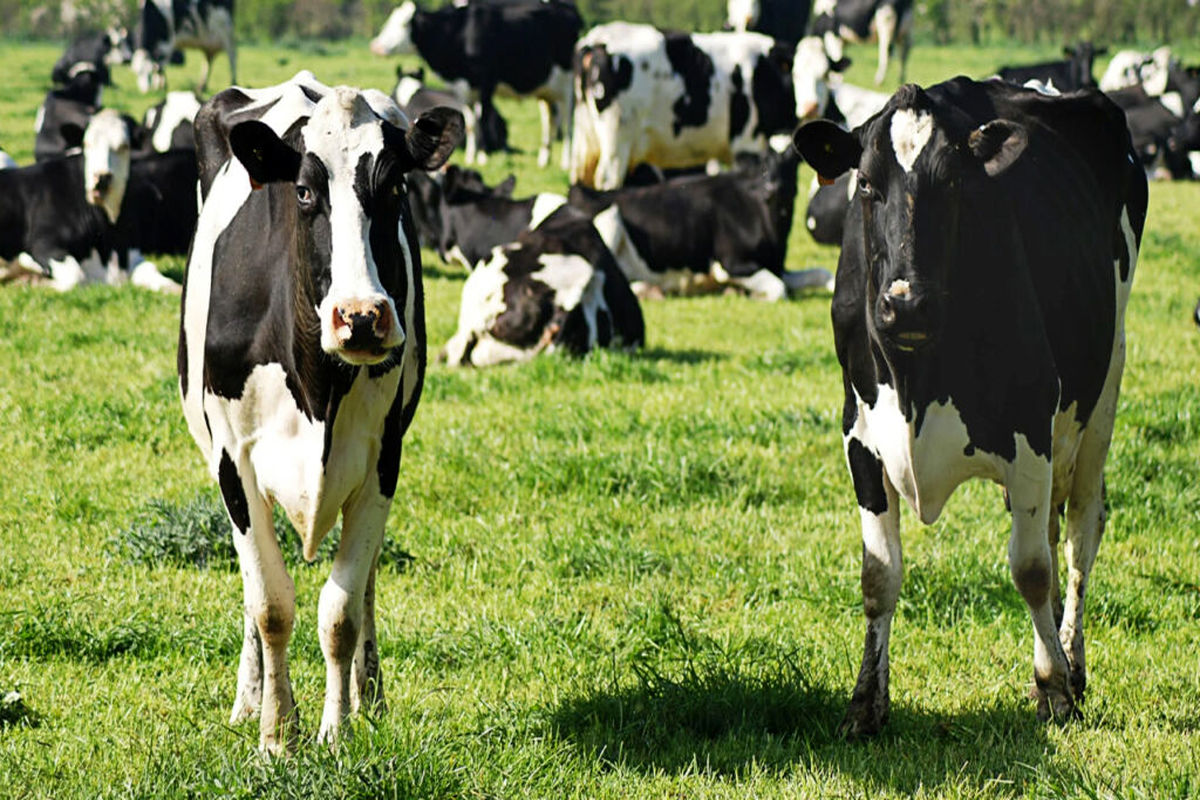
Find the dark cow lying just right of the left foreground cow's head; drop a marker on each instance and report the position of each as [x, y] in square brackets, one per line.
[471, 219]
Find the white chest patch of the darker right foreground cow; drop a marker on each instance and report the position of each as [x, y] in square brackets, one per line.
[925, 467]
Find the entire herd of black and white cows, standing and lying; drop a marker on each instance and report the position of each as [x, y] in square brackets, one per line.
[989, 237]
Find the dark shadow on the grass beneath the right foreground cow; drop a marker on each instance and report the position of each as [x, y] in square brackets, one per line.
[728, 726]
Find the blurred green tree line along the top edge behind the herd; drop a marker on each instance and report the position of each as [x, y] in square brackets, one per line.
[944, 22]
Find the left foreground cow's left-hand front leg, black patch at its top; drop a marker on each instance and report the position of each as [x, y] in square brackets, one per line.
[269, 604]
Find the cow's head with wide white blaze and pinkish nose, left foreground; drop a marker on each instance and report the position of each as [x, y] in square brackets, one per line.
[345, 167]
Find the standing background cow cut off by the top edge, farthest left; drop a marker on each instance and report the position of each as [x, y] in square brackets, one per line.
[165, 26]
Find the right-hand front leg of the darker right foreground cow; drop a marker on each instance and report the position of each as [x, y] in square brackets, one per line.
[1029, 560]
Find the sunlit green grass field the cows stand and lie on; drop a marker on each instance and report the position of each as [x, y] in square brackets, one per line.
[632, 576]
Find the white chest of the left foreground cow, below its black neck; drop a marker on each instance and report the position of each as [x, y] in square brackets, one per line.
[286, 449]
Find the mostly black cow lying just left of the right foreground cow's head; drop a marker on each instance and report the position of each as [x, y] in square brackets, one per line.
[704, 233]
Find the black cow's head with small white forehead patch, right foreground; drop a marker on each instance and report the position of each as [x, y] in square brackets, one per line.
[917, 169]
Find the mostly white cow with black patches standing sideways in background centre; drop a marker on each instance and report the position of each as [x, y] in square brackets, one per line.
[675, 100]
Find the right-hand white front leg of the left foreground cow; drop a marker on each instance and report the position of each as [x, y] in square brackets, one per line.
[341, 616]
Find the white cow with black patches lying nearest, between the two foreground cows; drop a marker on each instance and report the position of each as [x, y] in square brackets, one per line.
[556, 288]
